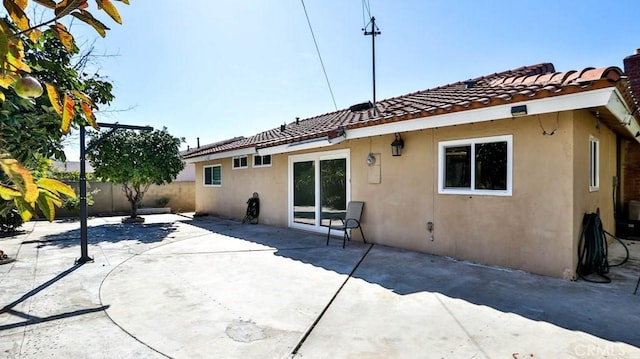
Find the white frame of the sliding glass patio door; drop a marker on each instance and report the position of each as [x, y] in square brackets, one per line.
[316, 157]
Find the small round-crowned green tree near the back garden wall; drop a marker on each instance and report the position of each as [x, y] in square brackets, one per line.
[136, 160]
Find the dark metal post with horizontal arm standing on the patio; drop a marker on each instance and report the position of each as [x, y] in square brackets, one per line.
[84, 242]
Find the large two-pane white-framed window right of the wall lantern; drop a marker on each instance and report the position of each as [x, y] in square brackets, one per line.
[476, 166]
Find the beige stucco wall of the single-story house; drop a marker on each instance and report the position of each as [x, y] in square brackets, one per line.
[535, 229]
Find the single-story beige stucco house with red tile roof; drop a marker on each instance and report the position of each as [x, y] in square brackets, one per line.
[498, 170]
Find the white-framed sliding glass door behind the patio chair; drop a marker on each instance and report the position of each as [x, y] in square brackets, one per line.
[318, 188]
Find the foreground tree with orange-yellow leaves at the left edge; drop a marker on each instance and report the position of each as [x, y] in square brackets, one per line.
[18, 187]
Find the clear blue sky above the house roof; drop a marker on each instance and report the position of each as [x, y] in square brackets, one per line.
[219, 69]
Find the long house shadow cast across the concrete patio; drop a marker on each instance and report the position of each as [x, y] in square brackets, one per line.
[604, 310]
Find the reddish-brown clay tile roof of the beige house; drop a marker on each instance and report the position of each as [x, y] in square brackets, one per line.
[517, 85]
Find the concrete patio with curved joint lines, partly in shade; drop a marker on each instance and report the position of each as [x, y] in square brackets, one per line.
[180, 287]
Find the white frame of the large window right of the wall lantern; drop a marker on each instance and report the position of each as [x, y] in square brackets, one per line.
[472, 142]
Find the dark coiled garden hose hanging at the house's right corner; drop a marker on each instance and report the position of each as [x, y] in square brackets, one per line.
[593, 249]
